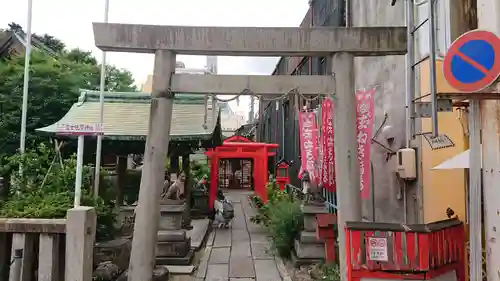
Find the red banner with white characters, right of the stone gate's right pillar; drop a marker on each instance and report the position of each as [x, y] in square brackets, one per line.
[364, 124]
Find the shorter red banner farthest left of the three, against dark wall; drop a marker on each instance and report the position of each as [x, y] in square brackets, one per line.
[308, 144]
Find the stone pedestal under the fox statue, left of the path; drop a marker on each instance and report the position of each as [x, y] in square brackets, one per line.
[173, 247]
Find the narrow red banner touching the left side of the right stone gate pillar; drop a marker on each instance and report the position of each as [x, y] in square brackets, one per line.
[327, 148]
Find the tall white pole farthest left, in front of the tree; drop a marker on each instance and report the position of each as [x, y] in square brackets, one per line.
[27, 56]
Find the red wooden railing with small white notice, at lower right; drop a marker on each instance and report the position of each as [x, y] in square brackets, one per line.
[418, 249]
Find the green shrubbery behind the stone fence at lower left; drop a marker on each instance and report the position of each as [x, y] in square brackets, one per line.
[41, 191]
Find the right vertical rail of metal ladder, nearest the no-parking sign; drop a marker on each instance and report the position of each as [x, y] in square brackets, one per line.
[432, 50]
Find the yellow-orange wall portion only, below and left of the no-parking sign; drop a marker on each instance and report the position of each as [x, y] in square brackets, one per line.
[443, 188]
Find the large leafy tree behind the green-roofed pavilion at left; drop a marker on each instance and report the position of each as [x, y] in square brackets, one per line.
[53, 88]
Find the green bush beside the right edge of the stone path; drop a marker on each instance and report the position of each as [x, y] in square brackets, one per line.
[282, 217]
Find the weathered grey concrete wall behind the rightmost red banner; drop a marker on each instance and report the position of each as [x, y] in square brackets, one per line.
[388, 73]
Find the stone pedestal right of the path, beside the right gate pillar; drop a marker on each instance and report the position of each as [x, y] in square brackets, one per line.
[308, 248]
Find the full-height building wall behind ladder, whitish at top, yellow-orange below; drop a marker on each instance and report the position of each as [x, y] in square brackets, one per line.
[443, 188]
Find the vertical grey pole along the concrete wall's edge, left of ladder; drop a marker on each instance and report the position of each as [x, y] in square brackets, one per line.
[410, 70]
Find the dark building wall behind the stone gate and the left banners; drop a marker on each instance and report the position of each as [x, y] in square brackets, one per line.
[278, 122]
